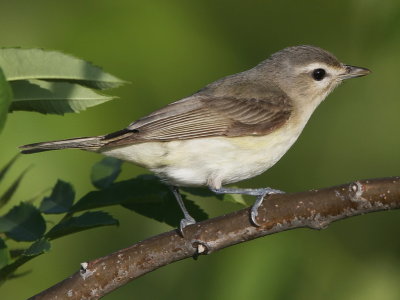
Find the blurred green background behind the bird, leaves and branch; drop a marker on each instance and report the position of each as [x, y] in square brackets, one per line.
[170, 49]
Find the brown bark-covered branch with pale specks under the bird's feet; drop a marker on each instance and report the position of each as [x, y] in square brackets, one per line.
[313, 209]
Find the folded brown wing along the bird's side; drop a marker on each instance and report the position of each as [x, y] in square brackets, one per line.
[203, 115]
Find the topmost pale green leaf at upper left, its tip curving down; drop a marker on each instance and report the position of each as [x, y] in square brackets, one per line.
[21, 64]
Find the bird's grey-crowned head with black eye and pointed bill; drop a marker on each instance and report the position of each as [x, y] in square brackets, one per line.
[307, 73]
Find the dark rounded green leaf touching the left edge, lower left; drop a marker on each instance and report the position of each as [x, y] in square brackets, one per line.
[23, 223]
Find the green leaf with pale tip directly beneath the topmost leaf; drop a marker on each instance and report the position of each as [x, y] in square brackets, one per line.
[53, 97]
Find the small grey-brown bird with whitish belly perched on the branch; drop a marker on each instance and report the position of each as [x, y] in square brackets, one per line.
[233, 129]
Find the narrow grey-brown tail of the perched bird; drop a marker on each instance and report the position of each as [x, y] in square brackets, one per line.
[85, 143]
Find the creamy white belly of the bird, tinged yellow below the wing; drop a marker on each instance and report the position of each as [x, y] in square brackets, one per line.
[213, 161]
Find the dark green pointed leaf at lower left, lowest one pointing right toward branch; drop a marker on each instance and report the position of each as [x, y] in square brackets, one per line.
[85, 221]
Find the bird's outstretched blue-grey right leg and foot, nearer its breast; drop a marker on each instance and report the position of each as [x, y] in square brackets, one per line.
[260, 193]
